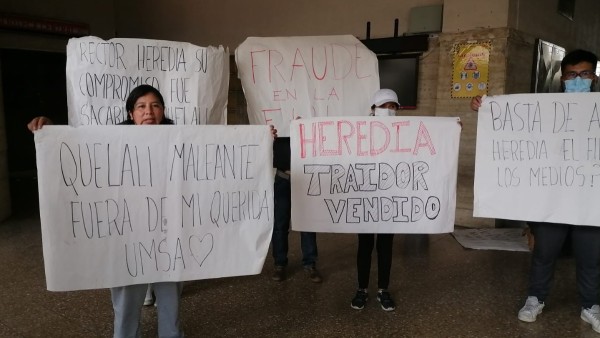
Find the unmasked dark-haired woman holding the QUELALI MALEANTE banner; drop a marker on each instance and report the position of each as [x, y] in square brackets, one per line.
[144, 105]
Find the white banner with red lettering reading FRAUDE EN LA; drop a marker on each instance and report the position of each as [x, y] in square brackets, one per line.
[289, 77]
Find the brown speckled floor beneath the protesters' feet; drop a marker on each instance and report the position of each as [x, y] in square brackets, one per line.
[441, 290]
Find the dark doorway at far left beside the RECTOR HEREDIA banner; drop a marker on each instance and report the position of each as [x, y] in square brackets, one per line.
[33, 84]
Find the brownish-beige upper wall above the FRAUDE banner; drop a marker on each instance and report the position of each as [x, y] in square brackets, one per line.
[228, 23]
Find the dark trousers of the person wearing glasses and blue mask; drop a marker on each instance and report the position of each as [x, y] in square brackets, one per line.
[549, 239]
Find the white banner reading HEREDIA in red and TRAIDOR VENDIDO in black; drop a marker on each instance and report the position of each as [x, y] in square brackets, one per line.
[374, 174]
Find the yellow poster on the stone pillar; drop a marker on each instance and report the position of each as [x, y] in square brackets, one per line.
[470, 65]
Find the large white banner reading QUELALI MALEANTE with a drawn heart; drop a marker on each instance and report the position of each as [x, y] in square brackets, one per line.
[123, 205]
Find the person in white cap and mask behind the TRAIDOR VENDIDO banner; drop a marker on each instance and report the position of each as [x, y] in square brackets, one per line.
[385, 103]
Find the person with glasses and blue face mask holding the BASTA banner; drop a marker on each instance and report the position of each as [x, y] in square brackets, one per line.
[578, 70]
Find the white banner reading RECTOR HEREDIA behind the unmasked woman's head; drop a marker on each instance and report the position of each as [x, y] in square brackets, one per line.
[194, 81]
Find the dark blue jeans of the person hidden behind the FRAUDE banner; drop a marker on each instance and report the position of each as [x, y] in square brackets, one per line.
[281, 228]
